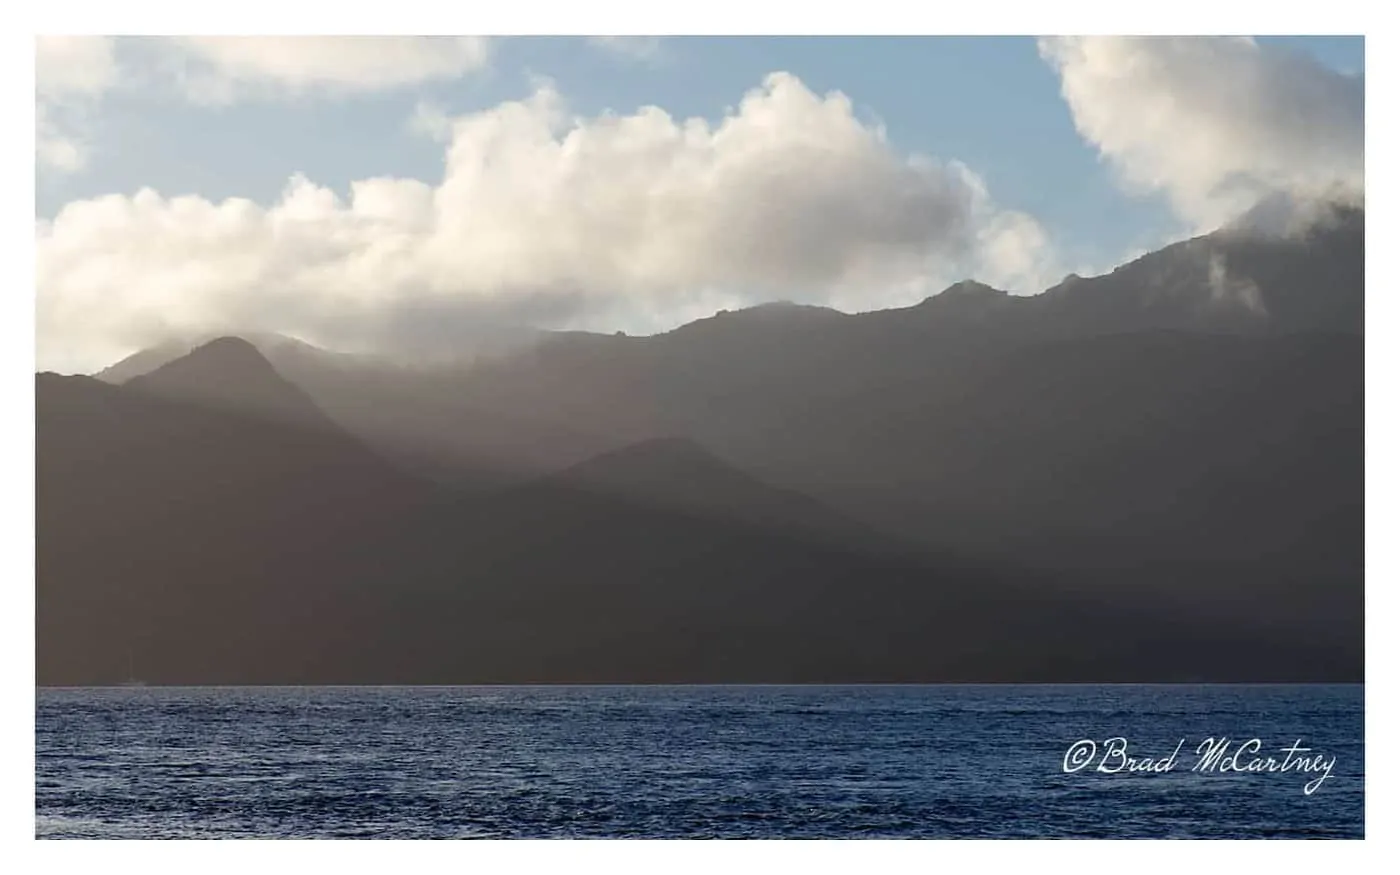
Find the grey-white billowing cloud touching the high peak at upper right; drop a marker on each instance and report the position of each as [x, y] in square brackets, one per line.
[1217, 125]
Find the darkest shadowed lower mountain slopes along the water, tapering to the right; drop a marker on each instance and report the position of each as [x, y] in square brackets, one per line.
[216, 548]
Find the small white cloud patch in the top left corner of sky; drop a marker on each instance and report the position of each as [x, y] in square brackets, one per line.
[69, 73]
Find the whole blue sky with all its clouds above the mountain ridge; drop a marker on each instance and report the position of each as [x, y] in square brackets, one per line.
[412, 195]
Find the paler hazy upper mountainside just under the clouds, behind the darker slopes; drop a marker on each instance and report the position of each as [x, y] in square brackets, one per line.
[720, 380]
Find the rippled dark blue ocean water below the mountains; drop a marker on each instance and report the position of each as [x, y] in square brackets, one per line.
[688, 762]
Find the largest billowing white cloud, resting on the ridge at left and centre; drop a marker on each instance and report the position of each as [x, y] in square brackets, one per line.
[619, 222]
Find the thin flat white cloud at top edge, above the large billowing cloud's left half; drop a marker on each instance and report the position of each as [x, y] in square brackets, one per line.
[222, 69]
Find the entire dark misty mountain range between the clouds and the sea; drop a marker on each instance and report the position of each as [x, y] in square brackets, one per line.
[1156, 474]
